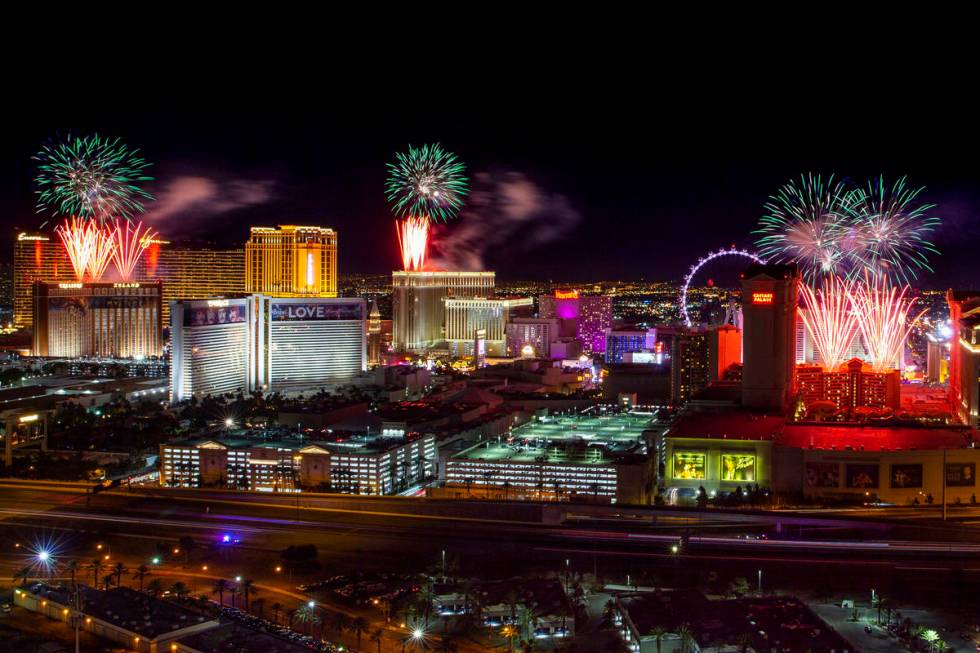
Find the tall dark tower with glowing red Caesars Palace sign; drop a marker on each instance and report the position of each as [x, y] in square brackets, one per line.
[769, 302]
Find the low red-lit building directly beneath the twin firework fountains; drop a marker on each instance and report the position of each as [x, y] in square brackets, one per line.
[854, 385]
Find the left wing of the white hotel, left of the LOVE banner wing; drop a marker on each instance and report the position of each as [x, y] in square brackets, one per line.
[210, 345]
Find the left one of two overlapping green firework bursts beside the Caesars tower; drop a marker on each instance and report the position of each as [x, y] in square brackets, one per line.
[806, 222]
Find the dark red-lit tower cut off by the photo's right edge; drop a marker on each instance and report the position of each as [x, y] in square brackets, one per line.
[964, 355]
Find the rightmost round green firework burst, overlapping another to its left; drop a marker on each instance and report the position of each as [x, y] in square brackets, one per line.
[892, 228]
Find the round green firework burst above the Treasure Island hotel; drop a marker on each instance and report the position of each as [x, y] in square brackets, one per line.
[91, 177]
